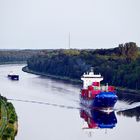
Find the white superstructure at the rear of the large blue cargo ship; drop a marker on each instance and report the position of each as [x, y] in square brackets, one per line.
[89, 78]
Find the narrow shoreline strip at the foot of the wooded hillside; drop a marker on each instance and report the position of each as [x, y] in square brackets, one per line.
[119, 89]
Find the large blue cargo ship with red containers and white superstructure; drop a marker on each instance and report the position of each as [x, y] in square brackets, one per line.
[95, 96]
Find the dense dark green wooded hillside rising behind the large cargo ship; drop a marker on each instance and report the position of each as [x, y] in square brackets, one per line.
[119, 66]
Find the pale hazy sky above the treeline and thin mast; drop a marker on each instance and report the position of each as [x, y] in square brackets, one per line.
[46, 24]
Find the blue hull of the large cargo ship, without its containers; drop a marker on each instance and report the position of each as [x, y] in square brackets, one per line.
[103, 100]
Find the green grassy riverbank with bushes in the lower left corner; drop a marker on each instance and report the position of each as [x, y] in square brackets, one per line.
[9, 121]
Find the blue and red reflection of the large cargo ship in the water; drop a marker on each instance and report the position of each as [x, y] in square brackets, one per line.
[98, 119]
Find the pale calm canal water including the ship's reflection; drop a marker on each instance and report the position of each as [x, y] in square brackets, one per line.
[49, 109]
